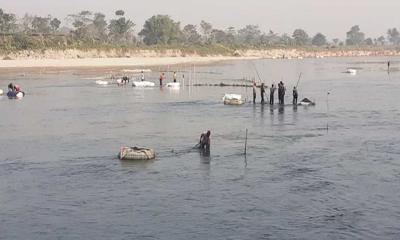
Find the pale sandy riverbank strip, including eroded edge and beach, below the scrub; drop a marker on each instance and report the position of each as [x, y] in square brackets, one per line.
[123, 58]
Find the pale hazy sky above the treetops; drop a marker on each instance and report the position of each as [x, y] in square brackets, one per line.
[331, 17]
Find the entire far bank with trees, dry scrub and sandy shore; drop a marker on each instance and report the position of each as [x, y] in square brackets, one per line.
[91, 39]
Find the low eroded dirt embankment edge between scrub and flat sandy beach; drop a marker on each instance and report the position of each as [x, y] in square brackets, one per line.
[269, 53]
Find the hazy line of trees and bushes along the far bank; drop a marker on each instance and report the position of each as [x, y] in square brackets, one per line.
[93, 29]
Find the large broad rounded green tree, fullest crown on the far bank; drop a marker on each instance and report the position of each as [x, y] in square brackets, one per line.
[160, 29]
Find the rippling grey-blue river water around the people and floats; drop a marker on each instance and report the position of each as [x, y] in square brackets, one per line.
[326, 172]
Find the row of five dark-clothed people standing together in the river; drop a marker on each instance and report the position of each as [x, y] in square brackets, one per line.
[281, 93]
